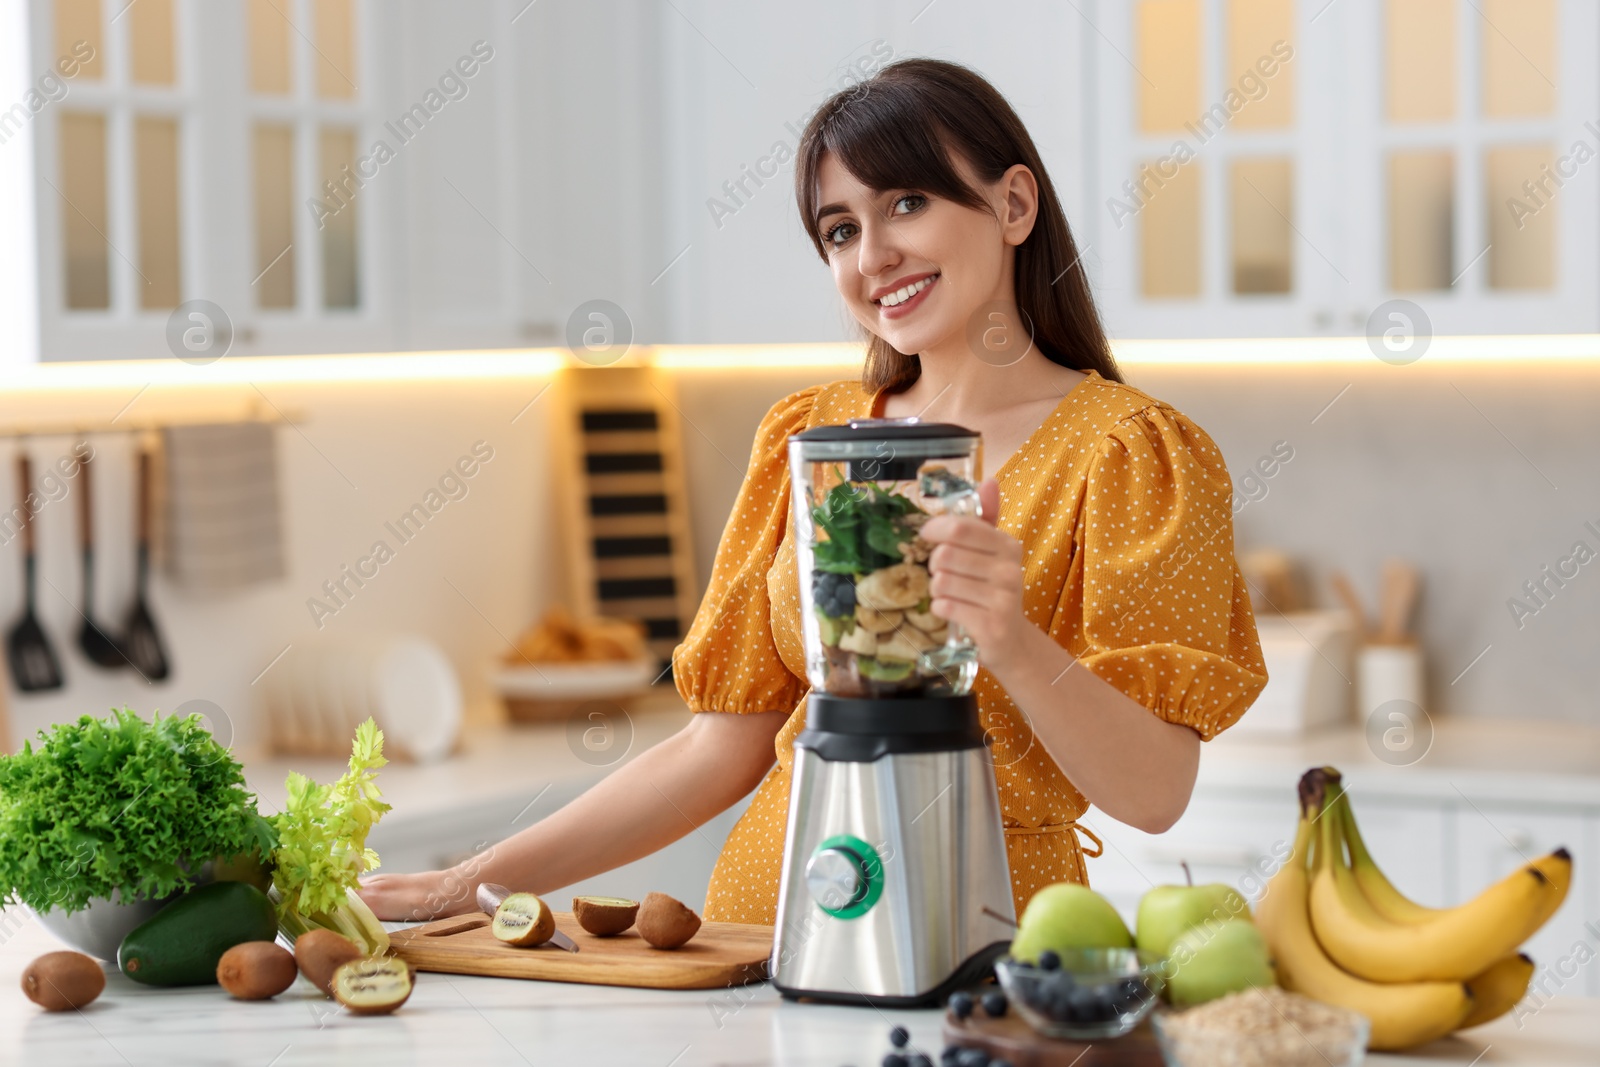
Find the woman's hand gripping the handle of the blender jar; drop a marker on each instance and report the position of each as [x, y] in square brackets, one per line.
[977, 577]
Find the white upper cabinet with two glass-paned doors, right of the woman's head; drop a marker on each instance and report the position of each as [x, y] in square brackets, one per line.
[1252, 180]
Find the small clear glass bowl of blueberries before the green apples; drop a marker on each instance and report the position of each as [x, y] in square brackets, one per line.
[1084, 994]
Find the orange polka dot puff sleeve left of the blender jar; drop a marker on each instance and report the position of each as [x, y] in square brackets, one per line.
[729, 661]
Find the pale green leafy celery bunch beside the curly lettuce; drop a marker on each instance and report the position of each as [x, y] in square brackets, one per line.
[322, 849]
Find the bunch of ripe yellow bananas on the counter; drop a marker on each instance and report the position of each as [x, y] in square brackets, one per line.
[1342, 933]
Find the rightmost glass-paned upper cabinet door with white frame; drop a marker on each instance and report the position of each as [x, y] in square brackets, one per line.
[1474, 162]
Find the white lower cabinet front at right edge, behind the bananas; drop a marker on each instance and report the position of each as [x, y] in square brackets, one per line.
[1498, 839]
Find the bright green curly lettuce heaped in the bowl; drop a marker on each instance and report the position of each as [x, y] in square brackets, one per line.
[121, 805]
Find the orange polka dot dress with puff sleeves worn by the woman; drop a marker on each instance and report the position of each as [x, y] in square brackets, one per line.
[1124, 510]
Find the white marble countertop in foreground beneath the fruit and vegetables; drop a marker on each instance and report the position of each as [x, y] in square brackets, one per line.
[489, 1023]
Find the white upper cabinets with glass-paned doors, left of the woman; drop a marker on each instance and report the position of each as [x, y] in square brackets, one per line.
[500, 199]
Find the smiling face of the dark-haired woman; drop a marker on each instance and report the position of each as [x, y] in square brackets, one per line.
[913, 268]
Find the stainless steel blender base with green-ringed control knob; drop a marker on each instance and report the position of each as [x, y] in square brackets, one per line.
[895, 884]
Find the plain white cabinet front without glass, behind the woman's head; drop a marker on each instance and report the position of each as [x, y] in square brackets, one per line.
[740, 92]
